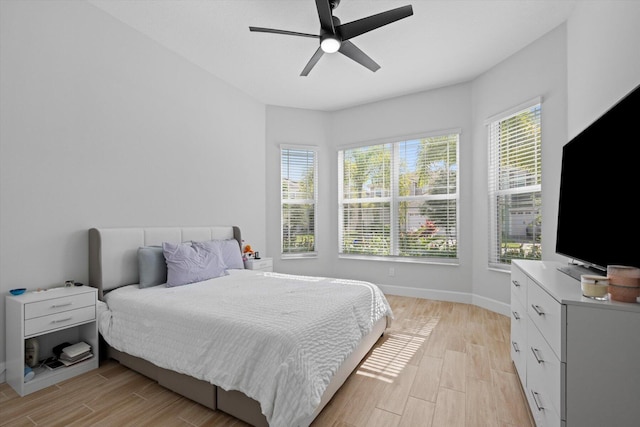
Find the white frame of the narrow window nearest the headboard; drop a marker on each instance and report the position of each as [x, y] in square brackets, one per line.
[307, 254]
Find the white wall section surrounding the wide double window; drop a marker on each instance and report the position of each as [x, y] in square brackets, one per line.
[421, 113]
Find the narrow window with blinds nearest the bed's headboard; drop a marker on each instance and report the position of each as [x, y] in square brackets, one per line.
[298, 172]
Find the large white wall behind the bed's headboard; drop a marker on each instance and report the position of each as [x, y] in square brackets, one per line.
[100, 126]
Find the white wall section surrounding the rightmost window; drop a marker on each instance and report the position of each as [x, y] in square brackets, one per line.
[537, 70]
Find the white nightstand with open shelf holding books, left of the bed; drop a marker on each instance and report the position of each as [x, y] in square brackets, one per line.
[53, 317]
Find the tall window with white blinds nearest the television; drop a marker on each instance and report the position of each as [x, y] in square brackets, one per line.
[515, 191]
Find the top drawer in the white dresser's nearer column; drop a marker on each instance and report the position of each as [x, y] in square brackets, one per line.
[546, 313]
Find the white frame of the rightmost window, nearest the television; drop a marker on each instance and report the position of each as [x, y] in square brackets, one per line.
[494, 255]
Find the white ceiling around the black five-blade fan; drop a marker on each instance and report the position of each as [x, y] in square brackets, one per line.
[443, 43]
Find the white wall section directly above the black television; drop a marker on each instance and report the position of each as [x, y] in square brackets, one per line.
[603, 58]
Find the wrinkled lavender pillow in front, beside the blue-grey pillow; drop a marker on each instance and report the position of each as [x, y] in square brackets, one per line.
[192, 262]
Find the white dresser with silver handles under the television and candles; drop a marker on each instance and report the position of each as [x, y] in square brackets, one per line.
[578, 359]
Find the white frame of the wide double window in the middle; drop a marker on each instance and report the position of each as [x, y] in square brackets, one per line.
[395, 199]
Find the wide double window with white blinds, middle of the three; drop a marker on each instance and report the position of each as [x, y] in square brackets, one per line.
[400, 199]
